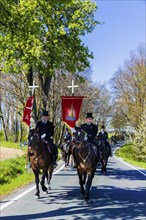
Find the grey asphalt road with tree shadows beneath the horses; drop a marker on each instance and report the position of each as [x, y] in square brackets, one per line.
[120, 195]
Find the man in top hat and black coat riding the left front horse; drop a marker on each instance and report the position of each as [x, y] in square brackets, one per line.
[46, 131]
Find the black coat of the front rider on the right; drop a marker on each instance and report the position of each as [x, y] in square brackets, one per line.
[91, 131]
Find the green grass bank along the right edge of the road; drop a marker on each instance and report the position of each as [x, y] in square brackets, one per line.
[127, 153]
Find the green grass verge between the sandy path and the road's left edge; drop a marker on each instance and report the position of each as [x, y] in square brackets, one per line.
[13, 175]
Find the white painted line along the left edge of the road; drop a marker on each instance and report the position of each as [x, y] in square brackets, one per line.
[24, 193]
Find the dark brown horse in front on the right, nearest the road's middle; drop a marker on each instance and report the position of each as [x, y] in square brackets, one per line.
[85, 155]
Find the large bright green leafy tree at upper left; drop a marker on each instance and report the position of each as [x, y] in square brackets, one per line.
[39, 36]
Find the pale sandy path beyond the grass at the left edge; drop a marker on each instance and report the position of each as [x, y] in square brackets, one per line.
[7, 153]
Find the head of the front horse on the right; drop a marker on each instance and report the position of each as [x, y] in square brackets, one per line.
[80, 137]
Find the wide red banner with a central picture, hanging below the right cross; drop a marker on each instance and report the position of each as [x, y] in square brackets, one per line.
[71, 106]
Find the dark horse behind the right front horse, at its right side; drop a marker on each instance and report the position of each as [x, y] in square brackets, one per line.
[104, 154]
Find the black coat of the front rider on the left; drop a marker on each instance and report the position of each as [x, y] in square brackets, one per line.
[45, 128]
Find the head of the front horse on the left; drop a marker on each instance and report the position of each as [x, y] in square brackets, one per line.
[33, 138]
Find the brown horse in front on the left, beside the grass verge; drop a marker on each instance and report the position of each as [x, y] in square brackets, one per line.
[41, 160]
